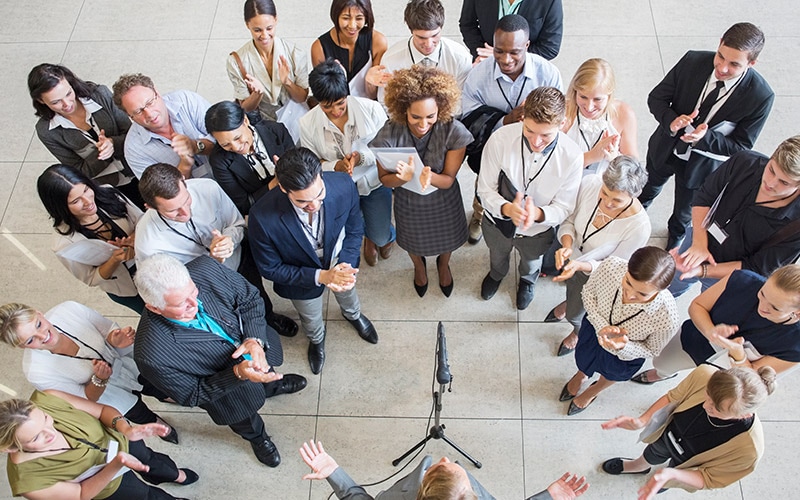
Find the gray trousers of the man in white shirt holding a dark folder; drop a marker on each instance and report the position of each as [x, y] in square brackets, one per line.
[530, 248]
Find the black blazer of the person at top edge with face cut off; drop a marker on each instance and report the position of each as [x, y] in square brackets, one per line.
[545, 20]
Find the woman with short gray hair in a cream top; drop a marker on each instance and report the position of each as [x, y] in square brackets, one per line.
[608, 220]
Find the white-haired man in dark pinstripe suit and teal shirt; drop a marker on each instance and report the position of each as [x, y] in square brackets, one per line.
[203, 341]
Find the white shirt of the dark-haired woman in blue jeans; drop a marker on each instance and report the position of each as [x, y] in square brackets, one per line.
[365, 118]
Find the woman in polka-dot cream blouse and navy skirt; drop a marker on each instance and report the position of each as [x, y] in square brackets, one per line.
[630, 316]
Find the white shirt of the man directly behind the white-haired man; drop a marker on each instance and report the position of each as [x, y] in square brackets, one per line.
[211, 209]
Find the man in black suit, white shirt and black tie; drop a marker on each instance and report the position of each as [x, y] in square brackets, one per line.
[709, 106]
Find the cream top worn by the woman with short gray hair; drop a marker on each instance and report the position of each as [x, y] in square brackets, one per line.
[620, 238]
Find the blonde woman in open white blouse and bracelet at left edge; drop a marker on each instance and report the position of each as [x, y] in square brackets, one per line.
[74, 349]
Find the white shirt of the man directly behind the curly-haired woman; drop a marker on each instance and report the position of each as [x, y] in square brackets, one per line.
[450, 57]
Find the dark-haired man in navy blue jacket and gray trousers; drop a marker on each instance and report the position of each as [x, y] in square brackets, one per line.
[306, 236]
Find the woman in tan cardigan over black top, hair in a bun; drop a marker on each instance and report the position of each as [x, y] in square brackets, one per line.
[705, 428]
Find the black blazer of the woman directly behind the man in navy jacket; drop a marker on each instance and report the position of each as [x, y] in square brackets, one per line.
[233, 172]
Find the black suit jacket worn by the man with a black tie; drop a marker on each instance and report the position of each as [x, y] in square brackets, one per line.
[747, 107]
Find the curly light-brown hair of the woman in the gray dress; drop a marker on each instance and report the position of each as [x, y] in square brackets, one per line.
[417, 83]
